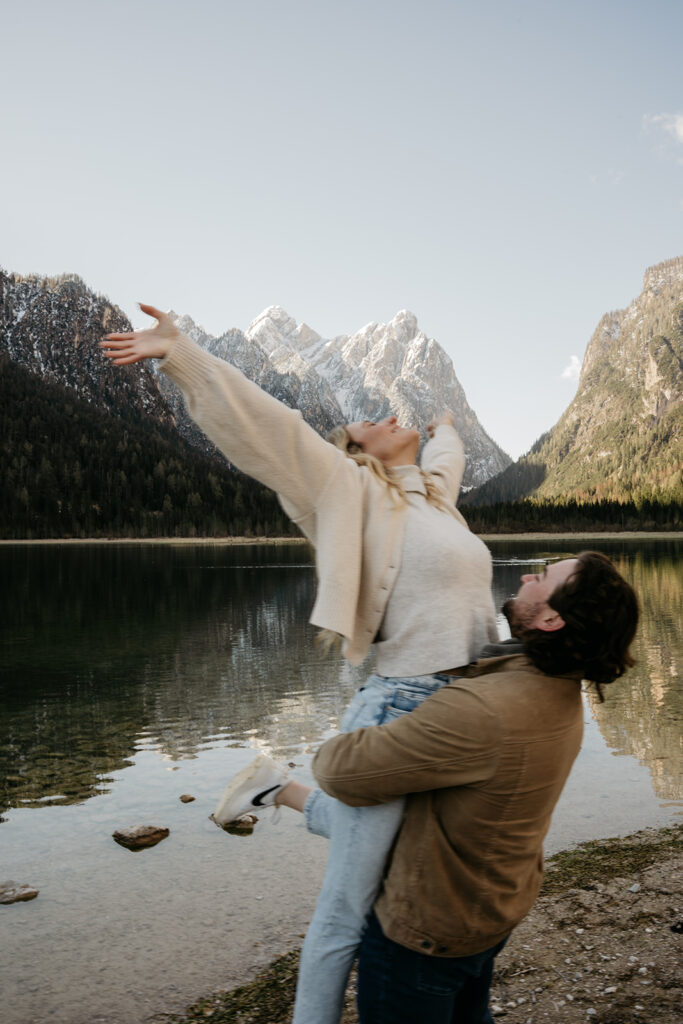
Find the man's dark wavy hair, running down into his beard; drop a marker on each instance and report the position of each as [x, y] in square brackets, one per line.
[601, 613]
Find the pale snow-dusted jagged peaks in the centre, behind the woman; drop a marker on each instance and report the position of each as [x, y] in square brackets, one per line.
[382, 369]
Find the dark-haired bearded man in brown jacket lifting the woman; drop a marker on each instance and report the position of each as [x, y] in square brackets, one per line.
[485, 761]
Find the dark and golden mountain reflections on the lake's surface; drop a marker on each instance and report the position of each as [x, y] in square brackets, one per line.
[108, 651]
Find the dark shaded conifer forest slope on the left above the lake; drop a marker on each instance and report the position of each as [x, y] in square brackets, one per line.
[70, 471]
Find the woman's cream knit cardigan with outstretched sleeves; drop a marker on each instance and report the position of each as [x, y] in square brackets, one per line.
[348, 515]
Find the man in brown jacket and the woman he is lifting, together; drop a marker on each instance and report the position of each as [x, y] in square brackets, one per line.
[439, 792]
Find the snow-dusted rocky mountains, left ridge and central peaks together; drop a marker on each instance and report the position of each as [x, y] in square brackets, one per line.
[52, 327]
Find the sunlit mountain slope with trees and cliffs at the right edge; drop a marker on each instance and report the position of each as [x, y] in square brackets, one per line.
[622, 437]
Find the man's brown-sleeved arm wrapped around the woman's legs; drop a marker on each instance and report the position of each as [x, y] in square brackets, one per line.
[452, 740]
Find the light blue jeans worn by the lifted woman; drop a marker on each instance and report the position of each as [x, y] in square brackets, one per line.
[360, 842]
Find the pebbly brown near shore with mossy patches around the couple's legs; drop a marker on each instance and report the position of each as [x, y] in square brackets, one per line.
[621, 892]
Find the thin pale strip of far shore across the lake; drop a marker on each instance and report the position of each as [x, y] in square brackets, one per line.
[279, 541]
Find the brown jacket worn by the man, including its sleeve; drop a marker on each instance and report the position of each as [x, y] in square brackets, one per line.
[485, 760]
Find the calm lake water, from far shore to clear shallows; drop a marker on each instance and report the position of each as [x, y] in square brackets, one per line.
[132, 674]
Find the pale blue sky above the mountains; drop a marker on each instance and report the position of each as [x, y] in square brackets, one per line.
[507, 172]
